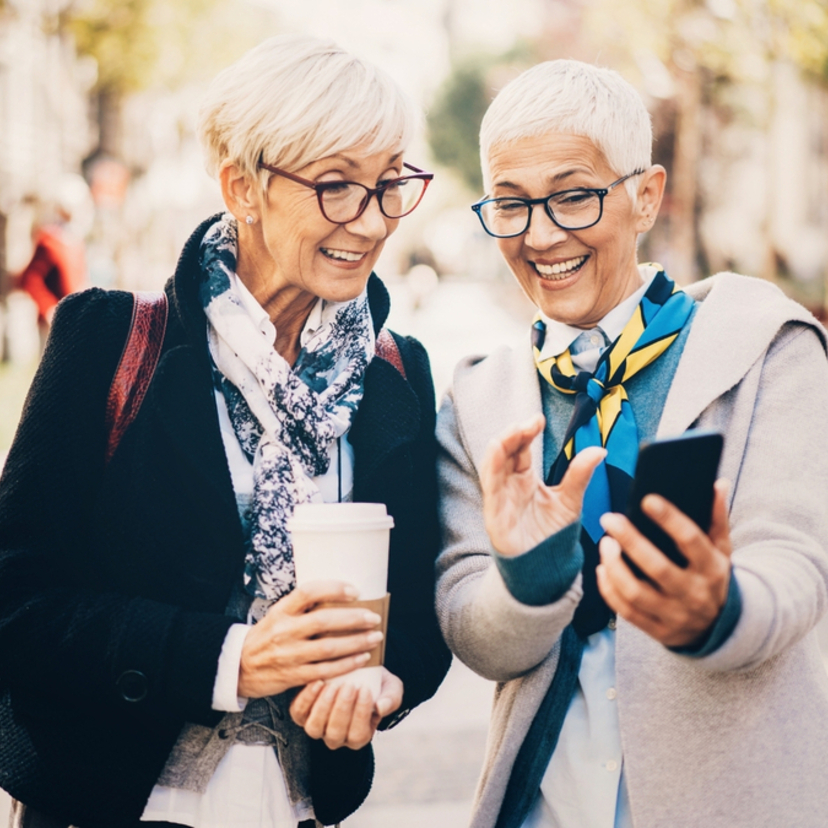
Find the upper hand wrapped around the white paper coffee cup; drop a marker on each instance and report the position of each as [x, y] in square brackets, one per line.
[293, 644]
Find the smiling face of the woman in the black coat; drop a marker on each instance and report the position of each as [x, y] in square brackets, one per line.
[292, 254]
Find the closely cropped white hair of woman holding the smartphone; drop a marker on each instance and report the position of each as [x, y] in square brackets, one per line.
[575, 98]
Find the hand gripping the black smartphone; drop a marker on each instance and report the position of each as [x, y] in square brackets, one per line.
[680, 606]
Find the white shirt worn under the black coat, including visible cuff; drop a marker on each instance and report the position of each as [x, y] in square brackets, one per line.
[247, 789]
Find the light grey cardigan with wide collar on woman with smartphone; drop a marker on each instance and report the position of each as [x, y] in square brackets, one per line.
[738, 737]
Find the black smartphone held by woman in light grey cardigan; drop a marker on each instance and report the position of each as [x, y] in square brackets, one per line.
[682, 470]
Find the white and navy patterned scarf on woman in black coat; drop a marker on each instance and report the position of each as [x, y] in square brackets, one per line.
[285, 418]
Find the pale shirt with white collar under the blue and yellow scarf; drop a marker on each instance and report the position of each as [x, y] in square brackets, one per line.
[583, 786]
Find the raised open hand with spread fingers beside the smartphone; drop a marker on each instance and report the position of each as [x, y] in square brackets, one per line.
[519, 510]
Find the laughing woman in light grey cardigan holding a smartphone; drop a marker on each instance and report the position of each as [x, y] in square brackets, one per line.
[689, 696]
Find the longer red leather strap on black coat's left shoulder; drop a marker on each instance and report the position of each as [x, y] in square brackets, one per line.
[140, 356]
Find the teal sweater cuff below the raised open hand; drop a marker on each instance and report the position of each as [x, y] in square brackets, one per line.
[543, 574]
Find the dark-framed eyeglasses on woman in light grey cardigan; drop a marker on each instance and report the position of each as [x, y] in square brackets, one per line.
[574, 209]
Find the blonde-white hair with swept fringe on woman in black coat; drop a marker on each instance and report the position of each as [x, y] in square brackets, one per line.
[294, 99]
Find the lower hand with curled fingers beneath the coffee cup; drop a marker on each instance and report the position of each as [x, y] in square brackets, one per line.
[345, 716]
